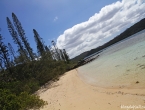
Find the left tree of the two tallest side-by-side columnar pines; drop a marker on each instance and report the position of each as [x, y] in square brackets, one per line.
[16, 39]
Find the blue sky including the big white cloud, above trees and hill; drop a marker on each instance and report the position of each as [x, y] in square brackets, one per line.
[75, 25]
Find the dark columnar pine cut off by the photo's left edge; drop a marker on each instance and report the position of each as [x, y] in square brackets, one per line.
[4, 55]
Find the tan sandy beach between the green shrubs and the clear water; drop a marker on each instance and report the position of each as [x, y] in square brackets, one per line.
[70, 92]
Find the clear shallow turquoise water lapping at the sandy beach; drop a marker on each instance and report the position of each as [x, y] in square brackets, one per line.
[120, 65]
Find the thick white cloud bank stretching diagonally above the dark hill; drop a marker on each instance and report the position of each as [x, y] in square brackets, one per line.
[103, 26]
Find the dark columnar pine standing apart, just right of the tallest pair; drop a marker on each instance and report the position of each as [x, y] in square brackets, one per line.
[39, 43]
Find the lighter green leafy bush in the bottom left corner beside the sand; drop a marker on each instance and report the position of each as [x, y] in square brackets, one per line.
[23, 101]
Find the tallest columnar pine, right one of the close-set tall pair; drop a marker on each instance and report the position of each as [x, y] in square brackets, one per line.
[22, 36]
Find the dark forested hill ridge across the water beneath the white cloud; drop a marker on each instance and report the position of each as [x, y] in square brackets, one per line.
[128, 32]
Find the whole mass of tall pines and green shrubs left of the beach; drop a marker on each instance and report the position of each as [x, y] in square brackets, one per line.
[23, 72]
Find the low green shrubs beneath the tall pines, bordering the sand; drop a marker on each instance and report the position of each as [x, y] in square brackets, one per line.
[27, 78]
